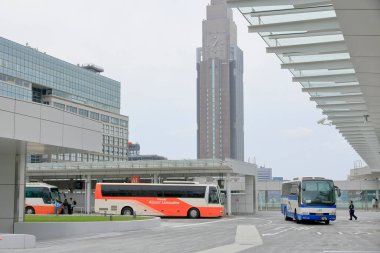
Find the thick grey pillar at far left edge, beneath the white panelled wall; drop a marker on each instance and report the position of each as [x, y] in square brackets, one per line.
[12, 184]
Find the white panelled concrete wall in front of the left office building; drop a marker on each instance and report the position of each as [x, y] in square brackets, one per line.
[38, 123]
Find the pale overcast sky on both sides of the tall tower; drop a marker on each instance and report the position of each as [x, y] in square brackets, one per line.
[149, 46]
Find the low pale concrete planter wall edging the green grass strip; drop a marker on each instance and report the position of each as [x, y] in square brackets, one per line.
[50, 230]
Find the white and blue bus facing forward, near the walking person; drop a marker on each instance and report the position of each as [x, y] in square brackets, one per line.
[309, 198]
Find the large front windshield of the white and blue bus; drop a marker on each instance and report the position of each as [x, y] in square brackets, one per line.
[318, 192]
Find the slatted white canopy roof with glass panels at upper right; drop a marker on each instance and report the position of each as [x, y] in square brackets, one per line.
[332, 48]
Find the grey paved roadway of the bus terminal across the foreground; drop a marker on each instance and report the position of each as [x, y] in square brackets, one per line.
[265, 232]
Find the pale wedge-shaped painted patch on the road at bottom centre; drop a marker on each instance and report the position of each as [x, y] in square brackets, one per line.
[246, 237]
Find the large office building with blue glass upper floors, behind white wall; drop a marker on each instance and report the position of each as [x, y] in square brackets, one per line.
[28, 74]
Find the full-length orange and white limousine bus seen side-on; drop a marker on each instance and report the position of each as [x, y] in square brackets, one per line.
[191, 200]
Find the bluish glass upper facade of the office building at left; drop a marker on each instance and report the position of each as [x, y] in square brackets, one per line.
[36, 72]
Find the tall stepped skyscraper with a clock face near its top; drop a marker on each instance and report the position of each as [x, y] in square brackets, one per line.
[219, 87]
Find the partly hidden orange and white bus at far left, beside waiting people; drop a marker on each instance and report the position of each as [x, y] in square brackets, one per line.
[40, 198]
